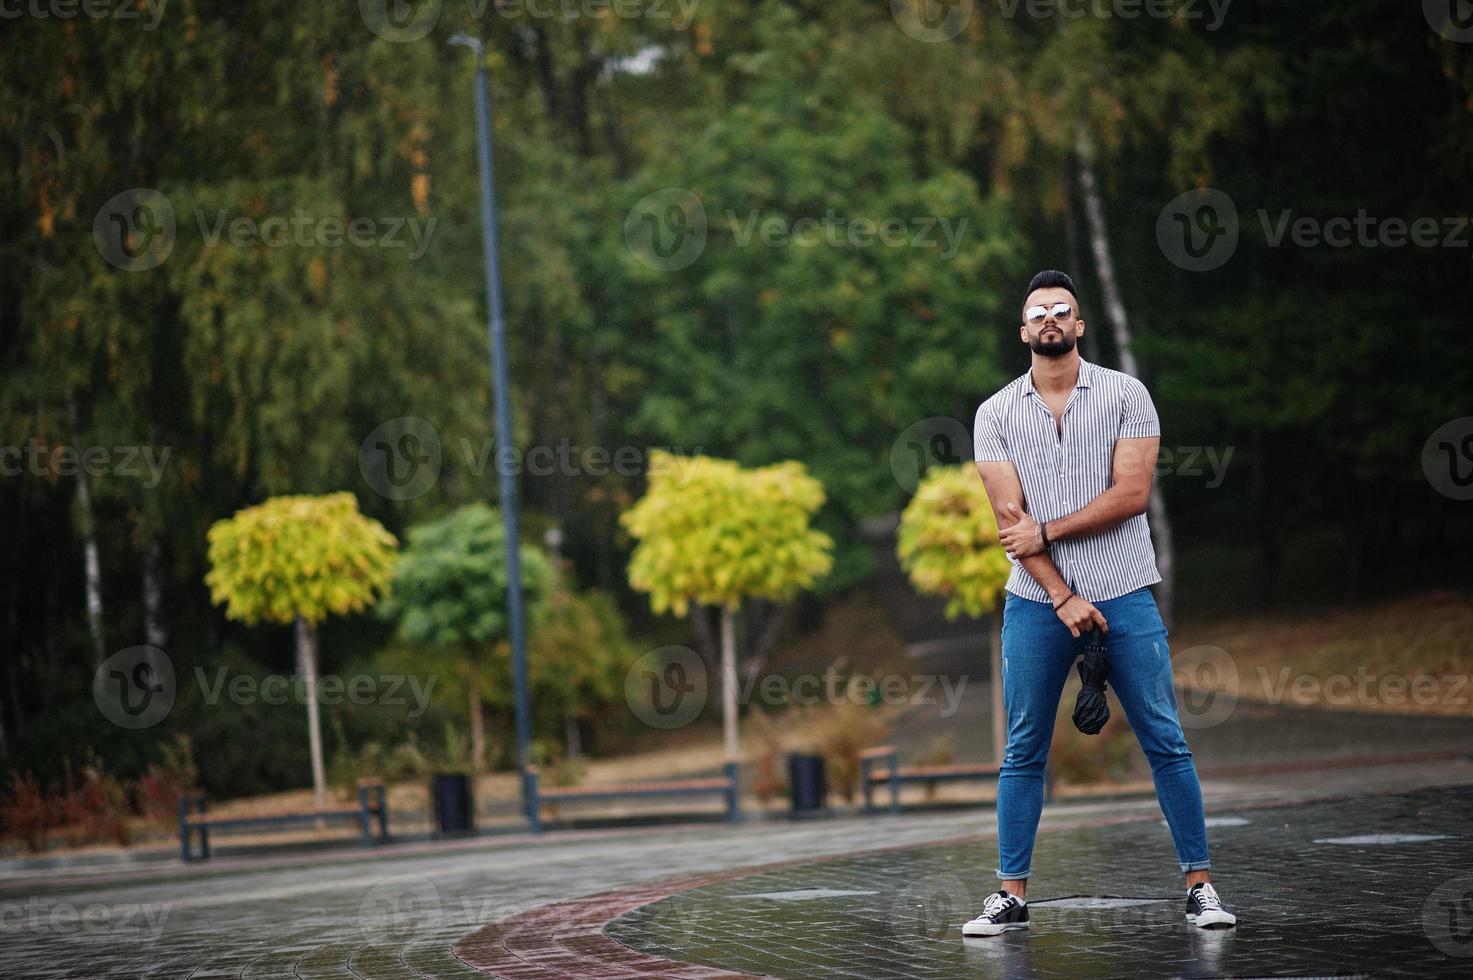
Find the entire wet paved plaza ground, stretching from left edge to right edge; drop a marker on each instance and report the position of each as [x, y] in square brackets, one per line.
[1377, 906]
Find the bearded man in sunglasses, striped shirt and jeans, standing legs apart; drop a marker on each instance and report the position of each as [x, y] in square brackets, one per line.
[1067, 455]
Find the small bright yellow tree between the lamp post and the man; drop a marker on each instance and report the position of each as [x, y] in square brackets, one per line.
[715, 534]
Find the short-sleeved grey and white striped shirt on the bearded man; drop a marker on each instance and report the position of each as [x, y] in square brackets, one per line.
[1063, 475]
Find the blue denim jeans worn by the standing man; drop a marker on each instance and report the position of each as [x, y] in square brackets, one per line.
[1039, 652]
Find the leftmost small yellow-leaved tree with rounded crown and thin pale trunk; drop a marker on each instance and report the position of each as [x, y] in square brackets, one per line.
[300, 561]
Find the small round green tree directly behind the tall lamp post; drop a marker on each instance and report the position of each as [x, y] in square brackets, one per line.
[450, 595]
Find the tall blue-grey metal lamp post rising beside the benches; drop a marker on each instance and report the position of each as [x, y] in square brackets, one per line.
[503, 407]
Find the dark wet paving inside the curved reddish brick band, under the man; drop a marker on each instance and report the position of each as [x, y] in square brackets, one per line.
[1377, 885]
